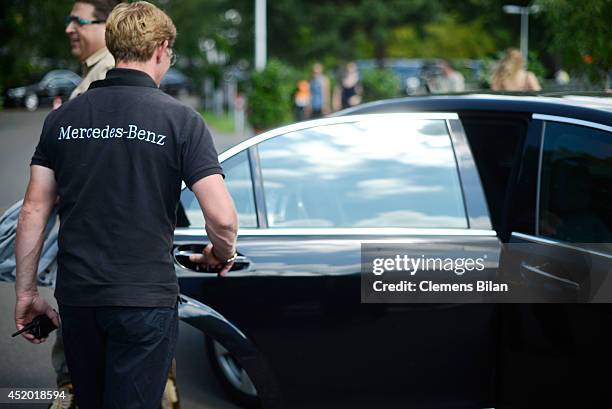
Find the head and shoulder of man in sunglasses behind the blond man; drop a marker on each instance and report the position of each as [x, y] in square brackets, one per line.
[85, 28]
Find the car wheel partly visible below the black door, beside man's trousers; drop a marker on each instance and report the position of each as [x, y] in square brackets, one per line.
[233, 378]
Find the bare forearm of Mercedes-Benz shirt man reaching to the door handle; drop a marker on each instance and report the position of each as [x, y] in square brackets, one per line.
[219, 214]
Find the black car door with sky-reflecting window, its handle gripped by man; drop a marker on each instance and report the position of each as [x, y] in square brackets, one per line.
[308, 197]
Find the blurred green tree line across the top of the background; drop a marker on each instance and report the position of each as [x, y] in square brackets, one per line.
[330, 31]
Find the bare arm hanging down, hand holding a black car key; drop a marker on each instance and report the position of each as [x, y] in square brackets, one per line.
[37, 206]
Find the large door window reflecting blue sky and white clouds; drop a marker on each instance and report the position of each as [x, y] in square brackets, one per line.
[391, 172]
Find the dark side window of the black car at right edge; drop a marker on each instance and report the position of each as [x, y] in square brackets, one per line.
[576, 184]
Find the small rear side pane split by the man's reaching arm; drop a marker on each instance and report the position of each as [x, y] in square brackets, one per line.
[239, 184]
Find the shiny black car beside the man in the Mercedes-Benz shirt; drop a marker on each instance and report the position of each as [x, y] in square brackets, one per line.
[287, 327]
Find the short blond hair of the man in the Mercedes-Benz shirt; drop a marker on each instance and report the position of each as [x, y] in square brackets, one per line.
[134, 30]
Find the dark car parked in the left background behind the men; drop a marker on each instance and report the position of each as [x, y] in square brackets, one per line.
[53, 84]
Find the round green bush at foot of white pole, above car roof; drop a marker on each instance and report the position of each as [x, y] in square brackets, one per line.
[270, 97]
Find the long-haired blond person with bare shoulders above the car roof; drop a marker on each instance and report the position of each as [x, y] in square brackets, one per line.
[510, 74]
